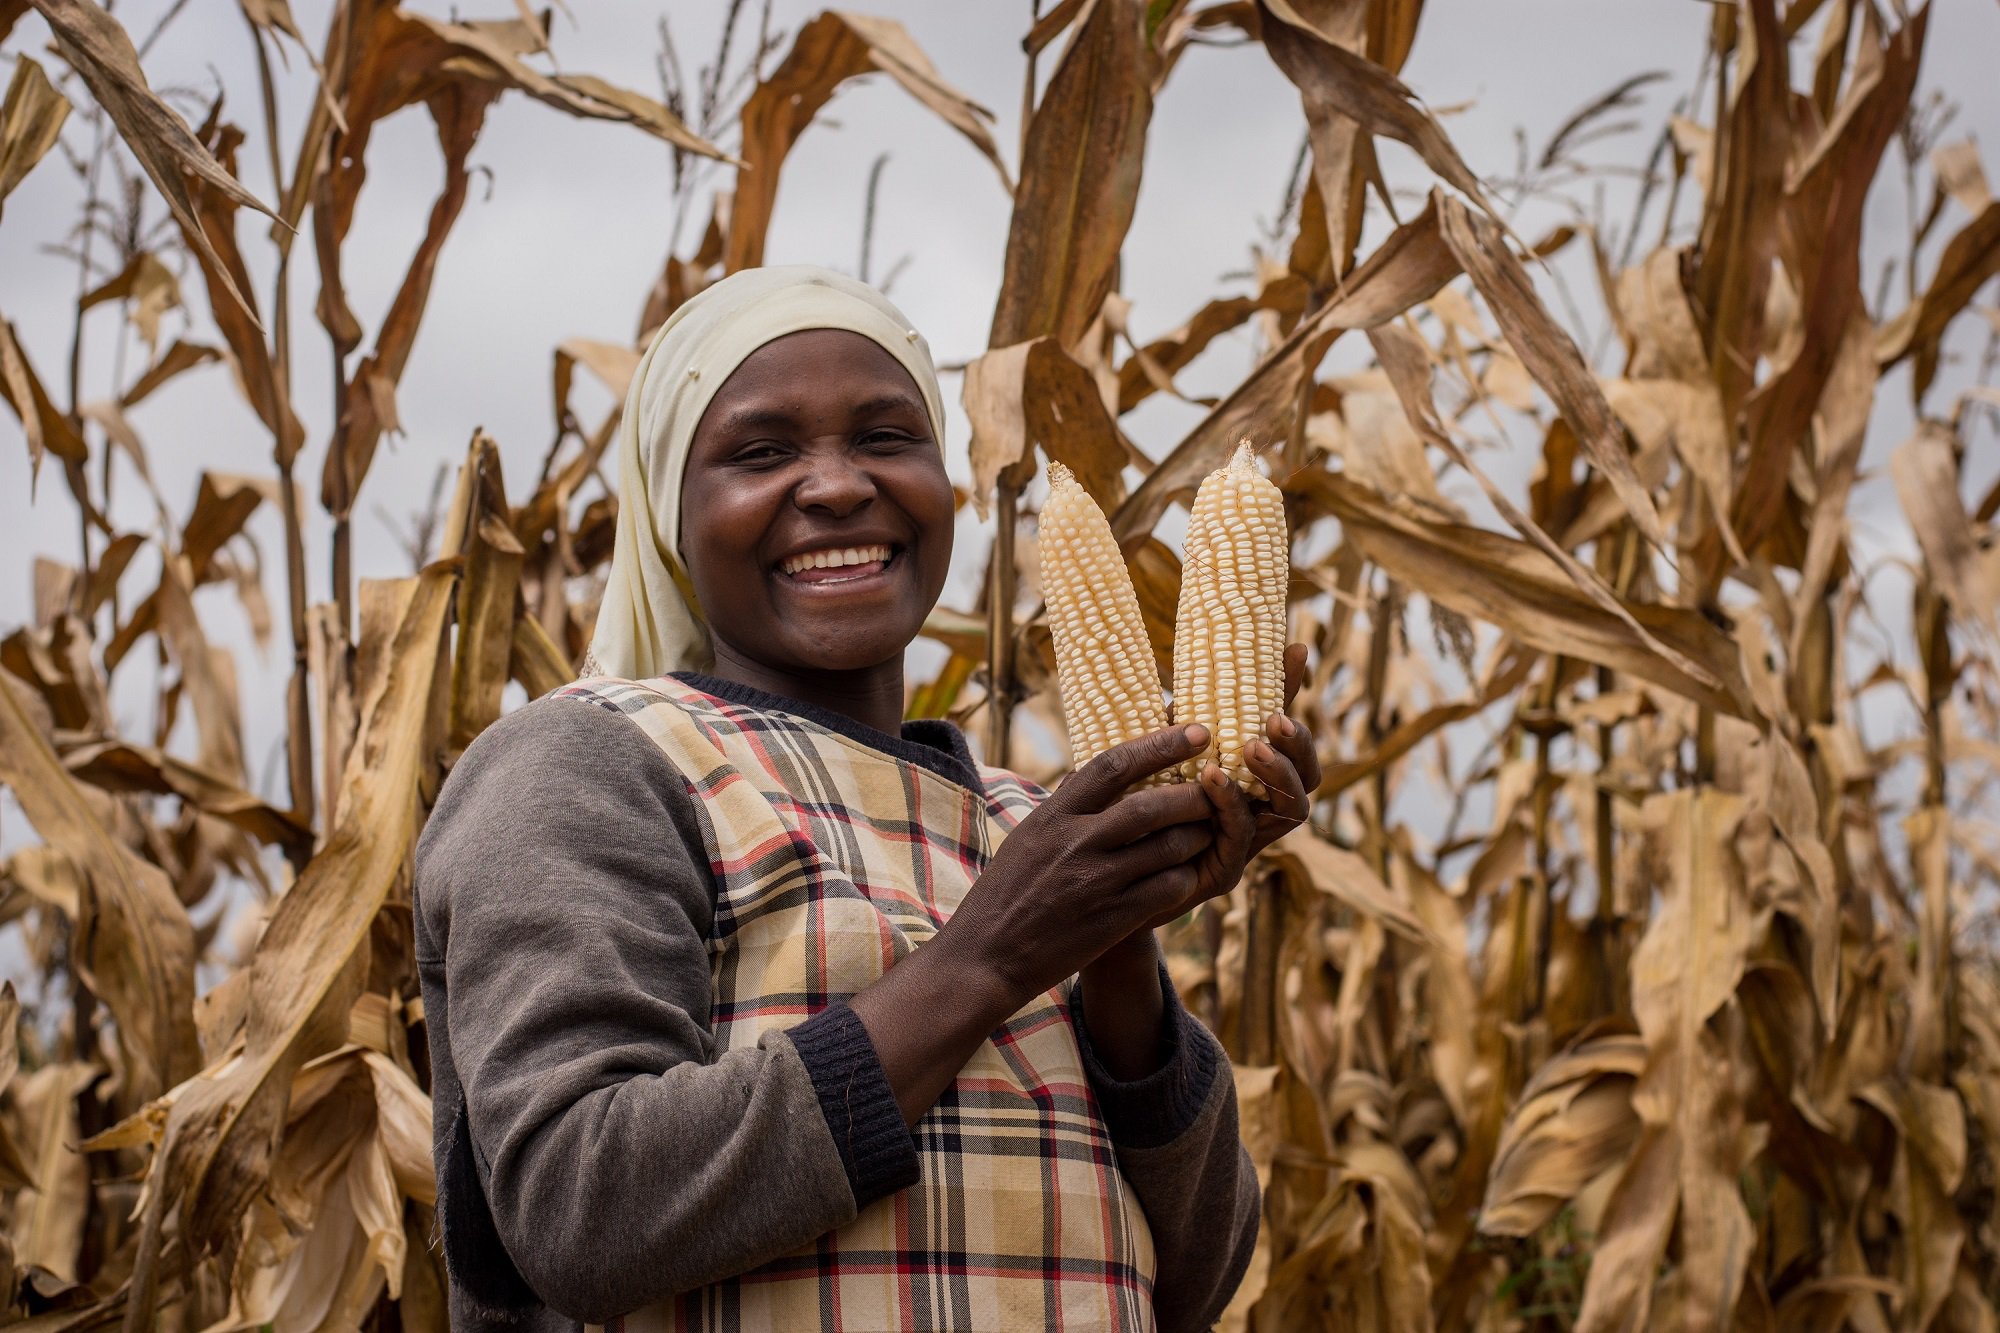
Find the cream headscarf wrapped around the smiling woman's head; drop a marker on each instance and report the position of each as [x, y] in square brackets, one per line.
[649, 621]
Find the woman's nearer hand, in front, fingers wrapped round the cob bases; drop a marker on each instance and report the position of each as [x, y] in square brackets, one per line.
[1097, 862]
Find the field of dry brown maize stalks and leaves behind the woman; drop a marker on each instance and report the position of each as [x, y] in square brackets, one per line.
[1639, 968]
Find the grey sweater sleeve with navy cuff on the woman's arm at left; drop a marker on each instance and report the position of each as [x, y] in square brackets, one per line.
[563, 934]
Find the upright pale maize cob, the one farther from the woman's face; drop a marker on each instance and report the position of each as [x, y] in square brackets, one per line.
[1229, 631]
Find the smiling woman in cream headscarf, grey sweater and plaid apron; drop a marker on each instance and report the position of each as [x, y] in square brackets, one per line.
[751, 1006]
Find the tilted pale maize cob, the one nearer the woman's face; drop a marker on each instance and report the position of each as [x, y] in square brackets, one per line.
[1105, 665]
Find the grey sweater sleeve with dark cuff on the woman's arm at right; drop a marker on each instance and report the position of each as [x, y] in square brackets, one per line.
[1175, 1134]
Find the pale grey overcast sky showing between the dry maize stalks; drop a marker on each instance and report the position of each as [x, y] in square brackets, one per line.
[569, 225]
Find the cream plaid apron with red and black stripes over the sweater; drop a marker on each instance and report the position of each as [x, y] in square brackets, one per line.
[831, 864]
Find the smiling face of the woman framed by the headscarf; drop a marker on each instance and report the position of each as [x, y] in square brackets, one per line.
[815, 515]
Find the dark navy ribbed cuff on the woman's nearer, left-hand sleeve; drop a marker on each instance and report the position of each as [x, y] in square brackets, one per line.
[859, 1104]
